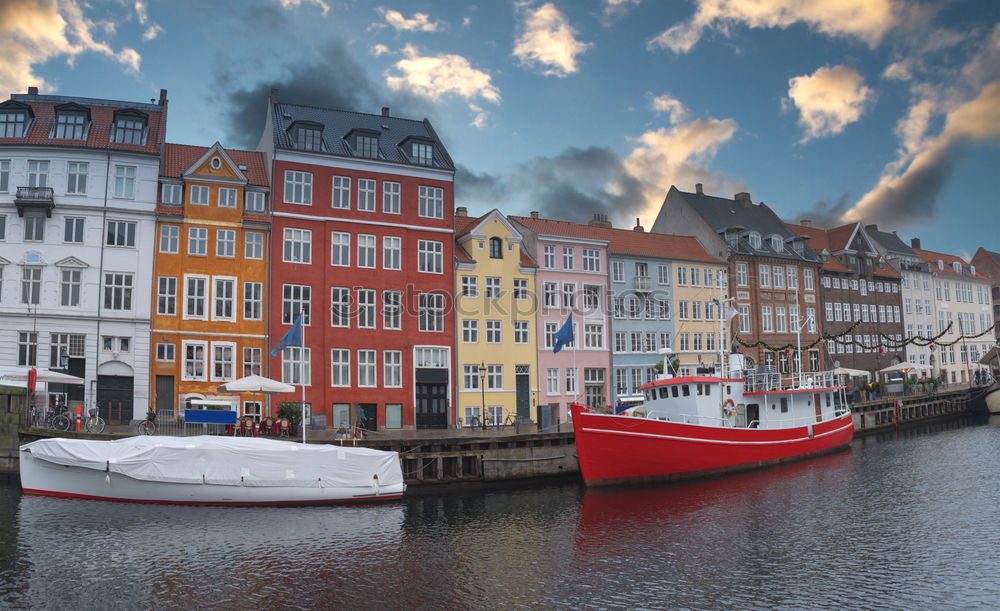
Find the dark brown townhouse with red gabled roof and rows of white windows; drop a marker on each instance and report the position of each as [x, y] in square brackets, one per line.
[860, 295]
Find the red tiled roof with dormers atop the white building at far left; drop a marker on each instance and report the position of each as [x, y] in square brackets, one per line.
[102, 116]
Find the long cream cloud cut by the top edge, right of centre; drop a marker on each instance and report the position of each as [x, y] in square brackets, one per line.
[866, 20]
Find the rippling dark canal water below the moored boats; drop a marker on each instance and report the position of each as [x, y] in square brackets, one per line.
[900, 521]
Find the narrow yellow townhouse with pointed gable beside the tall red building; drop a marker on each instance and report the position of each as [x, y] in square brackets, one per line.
[495, 307]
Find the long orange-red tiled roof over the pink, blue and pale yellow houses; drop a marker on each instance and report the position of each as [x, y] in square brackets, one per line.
[625, 241]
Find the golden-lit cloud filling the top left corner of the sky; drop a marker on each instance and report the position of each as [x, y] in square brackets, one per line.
[33, 32]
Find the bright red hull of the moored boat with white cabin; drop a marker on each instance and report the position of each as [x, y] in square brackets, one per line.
[619, 449]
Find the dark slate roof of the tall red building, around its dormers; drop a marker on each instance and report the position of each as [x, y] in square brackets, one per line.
[393, 132]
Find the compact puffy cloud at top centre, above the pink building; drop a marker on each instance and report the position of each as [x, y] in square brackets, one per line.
[547, 40]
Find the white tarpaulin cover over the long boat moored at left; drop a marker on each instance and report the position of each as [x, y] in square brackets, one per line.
[226, 461]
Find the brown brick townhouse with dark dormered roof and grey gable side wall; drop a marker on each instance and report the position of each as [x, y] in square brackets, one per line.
[773, 275]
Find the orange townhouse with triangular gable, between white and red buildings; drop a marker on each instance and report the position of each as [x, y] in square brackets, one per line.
[209, 320]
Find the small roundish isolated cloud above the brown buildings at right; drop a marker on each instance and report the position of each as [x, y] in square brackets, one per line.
[828, 100]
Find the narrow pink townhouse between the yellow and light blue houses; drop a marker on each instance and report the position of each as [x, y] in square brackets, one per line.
[572, 278]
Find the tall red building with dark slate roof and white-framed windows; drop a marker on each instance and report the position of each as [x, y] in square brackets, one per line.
[362, 242]
